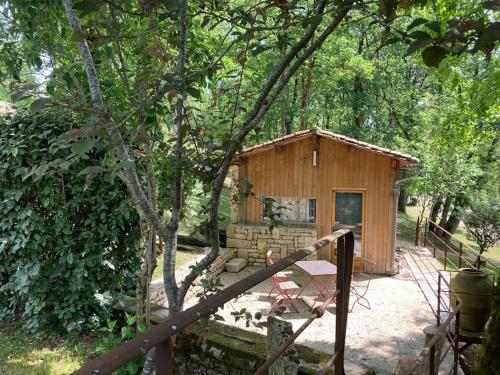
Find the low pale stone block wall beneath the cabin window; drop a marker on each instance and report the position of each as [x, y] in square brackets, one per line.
[253, 241]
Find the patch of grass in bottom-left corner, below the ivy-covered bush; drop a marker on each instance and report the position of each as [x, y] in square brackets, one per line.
[22, 353]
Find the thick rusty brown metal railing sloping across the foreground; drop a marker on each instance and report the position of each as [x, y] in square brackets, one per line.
[160, 336]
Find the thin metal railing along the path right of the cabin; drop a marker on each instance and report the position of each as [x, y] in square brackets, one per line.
[440, 240]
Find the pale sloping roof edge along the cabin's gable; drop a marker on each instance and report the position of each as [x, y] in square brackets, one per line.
[407, 159]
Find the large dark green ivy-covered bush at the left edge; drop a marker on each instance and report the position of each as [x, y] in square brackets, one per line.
[66, 243]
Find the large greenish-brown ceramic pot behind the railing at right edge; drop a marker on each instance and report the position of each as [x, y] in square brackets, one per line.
[475, 290]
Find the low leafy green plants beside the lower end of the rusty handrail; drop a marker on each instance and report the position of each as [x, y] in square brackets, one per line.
[115, 335]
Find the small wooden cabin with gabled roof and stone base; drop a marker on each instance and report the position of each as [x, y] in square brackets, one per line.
[315, 182]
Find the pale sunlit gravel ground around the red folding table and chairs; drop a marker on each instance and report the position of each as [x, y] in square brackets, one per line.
[376, 337]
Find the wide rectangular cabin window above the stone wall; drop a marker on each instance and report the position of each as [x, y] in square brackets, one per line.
[290, 210]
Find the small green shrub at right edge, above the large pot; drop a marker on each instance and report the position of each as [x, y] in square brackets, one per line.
[483, 221]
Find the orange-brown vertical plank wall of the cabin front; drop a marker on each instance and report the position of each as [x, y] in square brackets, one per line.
[287, 171]
